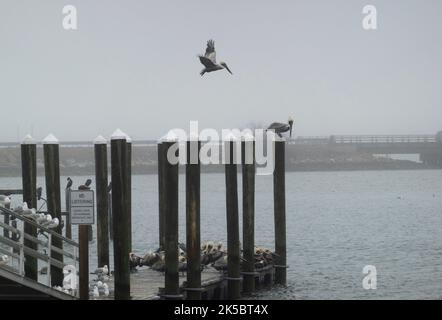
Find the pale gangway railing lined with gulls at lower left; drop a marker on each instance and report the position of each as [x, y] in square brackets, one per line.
[15, 248]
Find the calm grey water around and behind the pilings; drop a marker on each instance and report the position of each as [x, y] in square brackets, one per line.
[337, 222]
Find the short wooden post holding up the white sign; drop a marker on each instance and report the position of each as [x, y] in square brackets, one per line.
[84, 261]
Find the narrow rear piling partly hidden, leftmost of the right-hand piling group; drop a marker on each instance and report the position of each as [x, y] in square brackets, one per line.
[162, 152]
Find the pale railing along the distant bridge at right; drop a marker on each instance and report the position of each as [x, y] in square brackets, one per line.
[382, 139]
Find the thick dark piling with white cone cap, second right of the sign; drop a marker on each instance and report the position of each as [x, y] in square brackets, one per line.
[119, 215]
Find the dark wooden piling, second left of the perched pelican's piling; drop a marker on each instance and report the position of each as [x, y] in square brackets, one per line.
[233, 259]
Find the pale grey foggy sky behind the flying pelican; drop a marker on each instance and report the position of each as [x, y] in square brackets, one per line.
[133, 65]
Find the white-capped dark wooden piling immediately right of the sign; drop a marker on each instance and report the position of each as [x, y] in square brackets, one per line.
[101, 181]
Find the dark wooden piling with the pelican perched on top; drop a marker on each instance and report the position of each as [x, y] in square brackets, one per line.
[279, 208]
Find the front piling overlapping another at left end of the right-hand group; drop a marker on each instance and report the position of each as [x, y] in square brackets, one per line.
[171, 286]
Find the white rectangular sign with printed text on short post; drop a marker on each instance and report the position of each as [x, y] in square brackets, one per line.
[81, 207]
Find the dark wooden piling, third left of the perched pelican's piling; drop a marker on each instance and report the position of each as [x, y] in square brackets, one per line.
[193, 239]
